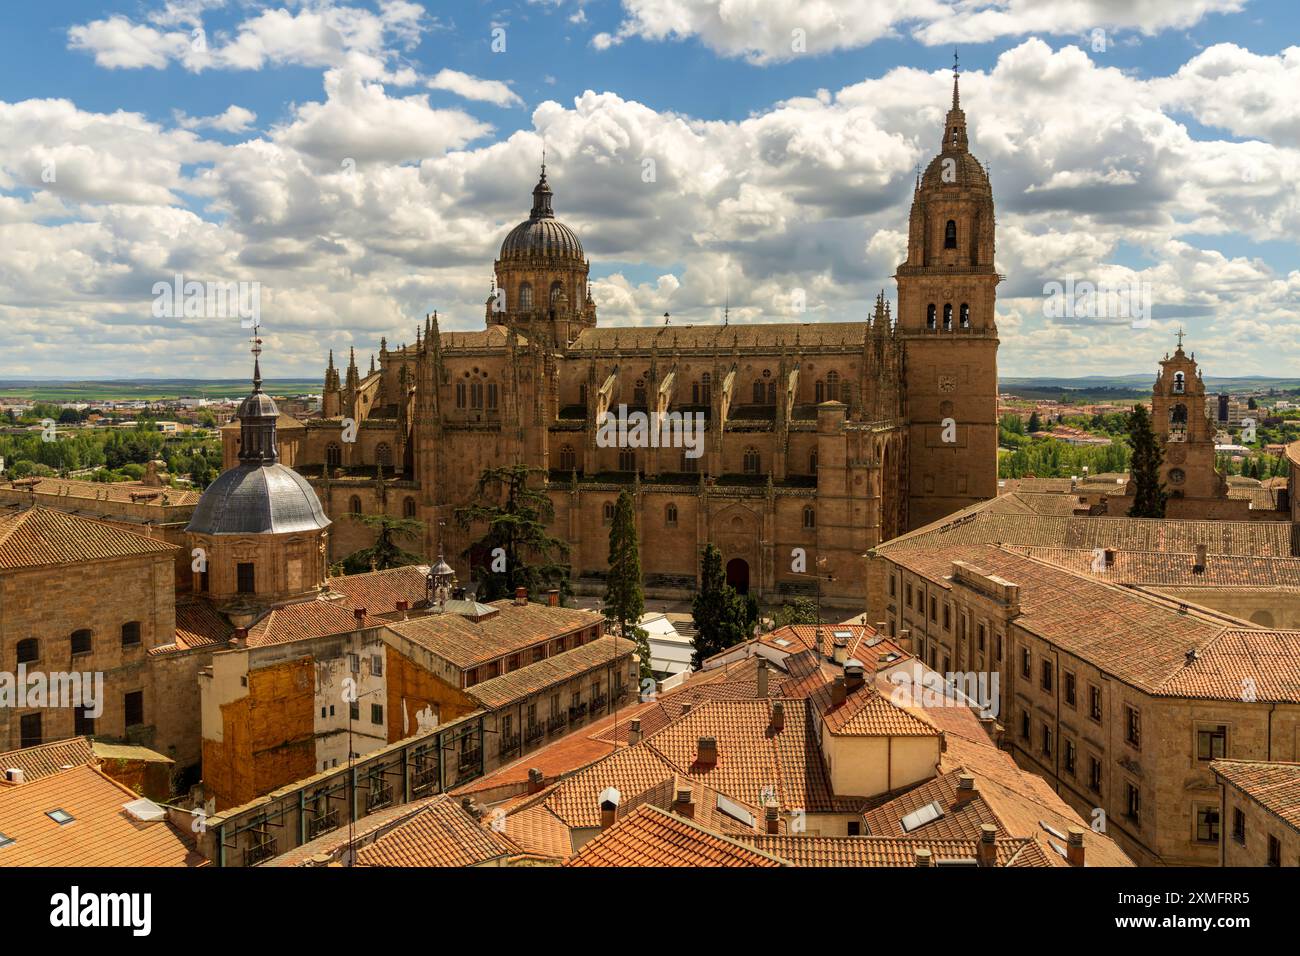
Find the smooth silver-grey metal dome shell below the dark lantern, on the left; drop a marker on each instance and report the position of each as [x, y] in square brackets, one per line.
[258, 500]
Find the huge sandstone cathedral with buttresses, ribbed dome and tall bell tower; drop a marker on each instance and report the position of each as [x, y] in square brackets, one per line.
[820, 440]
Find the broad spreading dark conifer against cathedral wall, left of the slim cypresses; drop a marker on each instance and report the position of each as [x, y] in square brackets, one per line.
[517, 517]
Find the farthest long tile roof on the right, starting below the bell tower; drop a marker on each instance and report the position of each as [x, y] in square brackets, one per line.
[989, 522]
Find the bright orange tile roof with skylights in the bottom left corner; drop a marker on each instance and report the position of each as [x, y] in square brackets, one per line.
[99, 834]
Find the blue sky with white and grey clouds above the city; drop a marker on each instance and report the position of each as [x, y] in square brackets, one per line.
[1172, 157]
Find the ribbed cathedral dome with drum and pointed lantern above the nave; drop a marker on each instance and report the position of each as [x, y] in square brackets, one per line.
[541, 278]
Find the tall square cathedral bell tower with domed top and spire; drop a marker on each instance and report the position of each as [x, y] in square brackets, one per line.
[947, 292]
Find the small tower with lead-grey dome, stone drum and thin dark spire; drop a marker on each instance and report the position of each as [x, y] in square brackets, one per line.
[259, 531]
